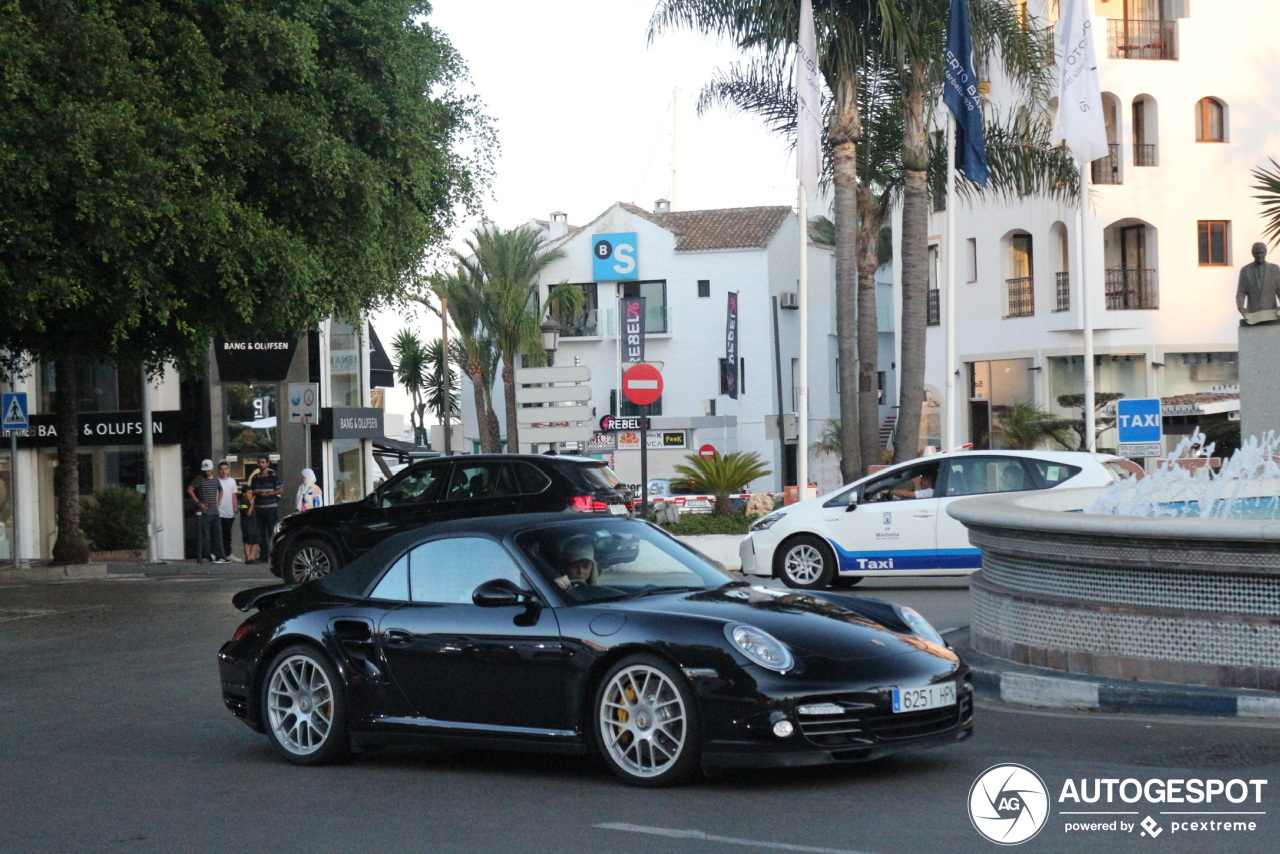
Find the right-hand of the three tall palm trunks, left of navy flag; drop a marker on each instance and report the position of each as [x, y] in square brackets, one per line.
[916, 276]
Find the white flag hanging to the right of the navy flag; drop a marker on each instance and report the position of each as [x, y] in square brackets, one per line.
[1080, 102]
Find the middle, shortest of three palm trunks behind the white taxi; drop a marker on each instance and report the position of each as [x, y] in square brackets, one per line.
[868, 328]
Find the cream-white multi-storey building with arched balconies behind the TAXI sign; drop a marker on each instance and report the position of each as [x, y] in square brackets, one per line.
[1190, 102]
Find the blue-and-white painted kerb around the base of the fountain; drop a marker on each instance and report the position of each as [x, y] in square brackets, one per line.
[1041, 688]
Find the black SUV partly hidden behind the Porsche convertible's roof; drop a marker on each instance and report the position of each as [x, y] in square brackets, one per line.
[321, 541]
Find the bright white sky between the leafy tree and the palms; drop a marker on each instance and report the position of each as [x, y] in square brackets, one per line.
[583, 108]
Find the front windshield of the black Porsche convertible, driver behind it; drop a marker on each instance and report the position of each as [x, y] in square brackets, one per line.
[593, 563]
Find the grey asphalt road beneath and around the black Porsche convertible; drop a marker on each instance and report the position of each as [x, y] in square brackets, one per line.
[113, 738]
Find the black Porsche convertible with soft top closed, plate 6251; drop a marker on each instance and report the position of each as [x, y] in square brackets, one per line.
[575, 634]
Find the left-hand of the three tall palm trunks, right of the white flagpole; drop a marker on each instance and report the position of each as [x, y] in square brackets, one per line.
[844, 133]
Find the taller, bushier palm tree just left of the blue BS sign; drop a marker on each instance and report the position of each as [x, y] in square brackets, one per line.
[506, 264]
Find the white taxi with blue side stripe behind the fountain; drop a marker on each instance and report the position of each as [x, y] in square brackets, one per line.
[895, 522]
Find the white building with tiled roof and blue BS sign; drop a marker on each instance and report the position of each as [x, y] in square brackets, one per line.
[685, 266]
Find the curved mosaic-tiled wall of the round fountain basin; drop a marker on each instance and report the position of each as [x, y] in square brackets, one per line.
[1190, 601]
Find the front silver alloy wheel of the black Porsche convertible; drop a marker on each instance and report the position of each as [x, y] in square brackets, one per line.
[644, 724]
